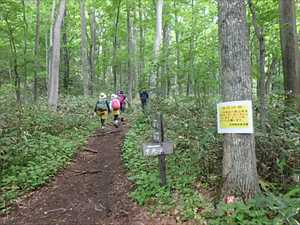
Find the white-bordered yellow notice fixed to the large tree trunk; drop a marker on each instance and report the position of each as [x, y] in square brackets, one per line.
[235, 117]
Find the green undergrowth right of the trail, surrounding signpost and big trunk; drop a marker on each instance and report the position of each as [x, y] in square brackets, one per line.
[194, 170]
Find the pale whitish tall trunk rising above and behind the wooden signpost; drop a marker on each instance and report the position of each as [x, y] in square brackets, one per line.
[154, 76]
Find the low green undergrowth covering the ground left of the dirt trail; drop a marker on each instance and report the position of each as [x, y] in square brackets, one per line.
[36, 143]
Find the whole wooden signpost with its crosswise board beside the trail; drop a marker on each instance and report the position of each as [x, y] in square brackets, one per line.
[159, 147]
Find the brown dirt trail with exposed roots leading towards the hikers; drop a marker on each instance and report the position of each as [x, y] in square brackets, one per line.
[92, 190]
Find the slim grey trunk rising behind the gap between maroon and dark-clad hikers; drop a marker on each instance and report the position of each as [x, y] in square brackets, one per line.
[130, 52]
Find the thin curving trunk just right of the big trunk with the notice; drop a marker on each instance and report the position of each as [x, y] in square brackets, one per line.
[261, 61]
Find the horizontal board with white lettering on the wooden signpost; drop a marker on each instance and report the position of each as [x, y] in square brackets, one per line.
[154, 149]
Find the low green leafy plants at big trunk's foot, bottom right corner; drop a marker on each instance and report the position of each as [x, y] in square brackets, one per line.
[269, 209]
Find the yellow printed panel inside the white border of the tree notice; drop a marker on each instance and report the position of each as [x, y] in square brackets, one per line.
[234, 116]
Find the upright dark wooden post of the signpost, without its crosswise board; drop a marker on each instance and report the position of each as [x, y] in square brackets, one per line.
[162, 156]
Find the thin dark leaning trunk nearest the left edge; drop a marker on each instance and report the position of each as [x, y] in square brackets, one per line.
[14, 61]
